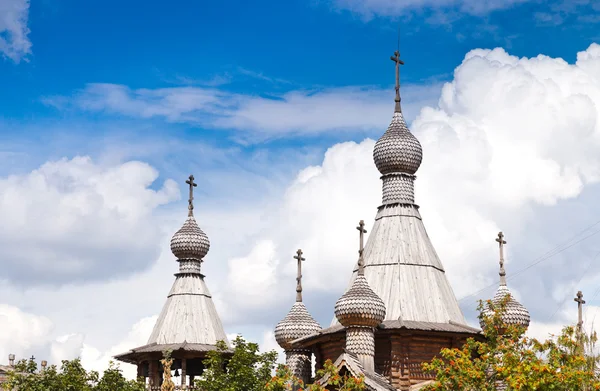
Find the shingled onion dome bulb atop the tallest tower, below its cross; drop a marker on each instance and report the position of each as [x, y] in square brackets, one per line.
[398, 150]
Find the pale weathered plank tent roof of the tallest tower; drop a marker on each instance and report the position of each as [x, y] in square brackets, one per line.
[403, 268]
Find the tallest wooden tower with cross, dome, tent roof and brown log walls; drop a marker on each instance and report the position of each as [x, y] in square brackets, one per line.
[402, 268]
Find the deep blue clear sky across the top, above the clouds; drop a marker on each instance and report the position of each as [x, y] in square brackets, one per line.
[262, 48]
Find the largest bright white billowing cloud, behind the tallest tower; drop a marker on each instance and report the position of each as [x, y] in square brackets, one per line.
[509, 134]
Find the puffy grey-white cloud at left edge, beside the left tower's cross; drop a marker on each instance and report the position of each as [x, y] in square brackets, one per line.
[72, 221]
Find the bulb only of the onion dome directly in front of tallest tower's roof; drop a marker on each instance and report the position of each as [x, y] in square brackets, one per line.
[360, 306]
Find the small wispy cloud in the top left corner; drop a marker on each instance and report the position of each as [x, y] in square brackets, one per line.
[14, 40]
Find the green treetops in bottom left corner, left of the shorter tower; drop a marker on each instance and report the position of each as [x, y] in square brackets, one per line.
[71, 377]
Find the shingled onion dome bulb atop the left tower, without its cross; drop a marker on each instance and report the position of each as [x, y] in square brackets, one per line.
[190, 242]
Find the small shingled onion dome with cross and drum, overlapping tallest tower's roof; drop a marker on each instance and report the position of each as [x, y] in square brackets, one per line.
[360, 310]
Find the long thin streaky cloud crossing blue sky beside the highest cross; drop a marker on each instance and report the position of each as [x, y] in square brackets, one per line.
[297, 112]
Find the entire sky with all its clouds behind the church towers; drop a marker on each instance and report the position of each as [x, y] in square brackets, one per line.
[107, 107]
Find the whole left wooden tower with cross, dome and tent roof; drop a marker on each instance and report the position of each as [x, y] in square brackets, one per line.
[188, 324]
